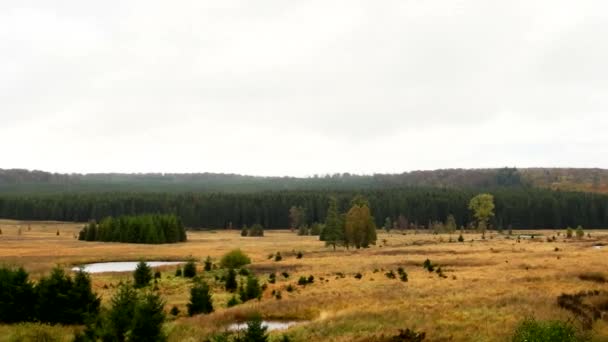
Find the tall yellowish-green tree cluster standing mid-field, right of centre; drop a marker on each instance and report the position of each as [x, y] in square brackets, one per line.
[356, 228]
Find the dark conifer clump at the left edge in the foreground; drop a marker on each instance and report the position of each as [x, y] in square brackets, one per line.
[56, 299]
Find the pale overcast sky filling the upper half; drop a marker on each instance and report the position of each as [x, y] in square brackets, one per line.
[302, 87]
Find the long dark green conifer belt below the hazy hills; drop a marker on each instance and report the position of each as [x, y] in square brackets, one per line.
[410, 207]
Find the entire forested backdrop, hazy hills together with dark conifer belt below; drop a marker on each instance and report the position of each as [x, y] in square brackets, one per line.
[525, 198]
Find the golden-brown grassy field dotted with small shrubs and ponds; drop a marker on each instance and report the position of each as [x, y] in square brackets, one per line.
[490, 284]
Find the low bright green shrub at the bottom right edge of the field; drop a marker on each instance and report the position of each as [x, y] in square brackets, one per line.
[531, 330]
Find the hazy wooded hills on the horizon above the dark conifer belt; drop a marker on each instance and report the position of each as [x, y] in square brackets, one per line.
[18, 181]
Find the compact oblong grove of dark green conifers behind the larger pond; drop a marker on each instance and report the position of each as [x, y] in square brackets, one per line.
[153, 229]
